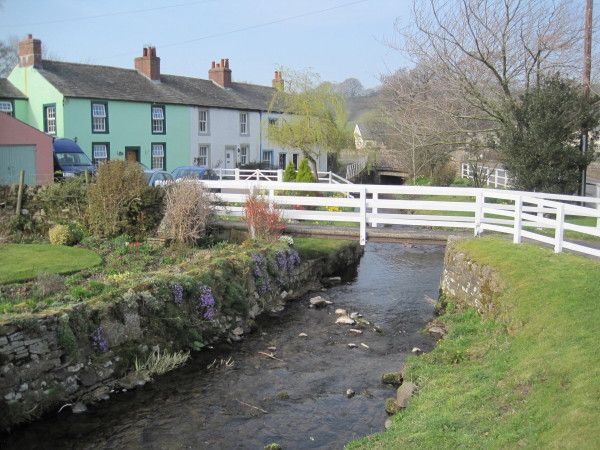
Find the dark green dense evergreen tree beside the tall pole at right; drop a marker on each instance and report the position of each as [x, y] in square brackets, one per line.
[539, 143]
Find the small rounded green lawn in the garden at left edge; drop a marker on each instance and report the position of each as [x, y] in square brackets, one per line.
[22, 262]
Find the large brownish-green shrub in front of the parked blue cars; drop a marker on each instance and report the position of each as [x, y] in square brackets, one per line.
[114, 198]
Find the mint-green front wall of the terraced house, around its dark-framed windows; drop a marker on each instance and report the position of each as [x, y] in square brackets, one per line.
[130, 125]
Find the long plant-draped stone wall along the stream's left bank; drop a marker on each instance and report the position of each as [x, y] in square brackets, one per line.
[83, 353]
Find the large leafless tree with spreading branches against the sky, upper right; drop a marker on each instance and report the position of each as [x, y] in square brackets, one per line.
[488, 52]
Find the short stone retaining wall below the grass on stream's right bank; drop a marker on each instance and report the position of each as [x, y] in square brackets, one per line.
[467, 281]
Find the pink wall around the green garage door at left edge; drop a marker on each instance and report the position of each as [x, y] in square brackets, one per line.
[15, 132]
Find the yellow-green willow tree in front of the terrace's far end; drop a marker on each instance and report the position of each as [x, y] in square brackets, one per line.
[314, 117]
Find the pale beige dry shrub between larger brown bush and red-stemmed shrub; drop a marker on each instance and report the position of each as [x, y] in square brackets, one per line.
[188, 210]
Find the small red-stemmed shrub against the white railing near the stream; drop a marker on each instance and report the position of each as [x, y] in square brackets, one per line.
[263, 217]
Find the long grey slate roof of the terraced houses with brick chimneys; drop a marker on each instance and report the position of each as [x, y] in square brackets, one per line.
[114, 83]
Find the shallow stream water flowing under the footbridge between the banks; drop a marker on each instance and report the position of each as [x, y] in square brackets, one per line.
[297, 400]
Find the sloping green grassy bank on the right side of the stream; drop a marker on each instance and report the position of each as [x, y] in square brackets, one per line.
[528, 377]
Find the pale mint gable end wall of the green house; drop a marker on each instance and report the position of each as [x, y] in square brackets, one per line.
[29, 81]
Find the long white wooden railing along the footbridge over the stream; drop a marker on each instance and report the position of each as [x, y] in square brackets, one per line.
[522, 214]
